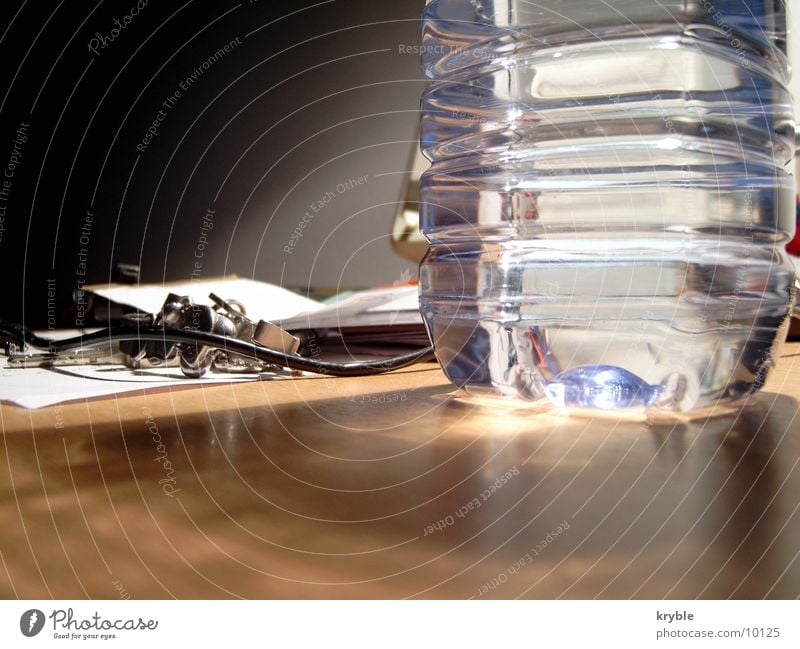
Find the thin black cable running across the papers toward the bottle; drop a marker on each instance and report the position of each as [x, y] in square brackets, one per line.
[158, 333]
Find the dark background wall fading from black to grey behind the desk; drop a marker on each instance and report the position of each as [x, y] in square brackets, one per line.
[317, 92]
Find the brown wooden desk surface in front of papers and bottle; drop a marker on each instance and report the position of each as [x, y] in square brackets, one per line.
[391, 487]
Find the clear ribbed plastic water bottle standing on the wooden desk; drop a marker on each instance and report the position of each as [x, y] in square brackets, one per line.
[609, 198]
